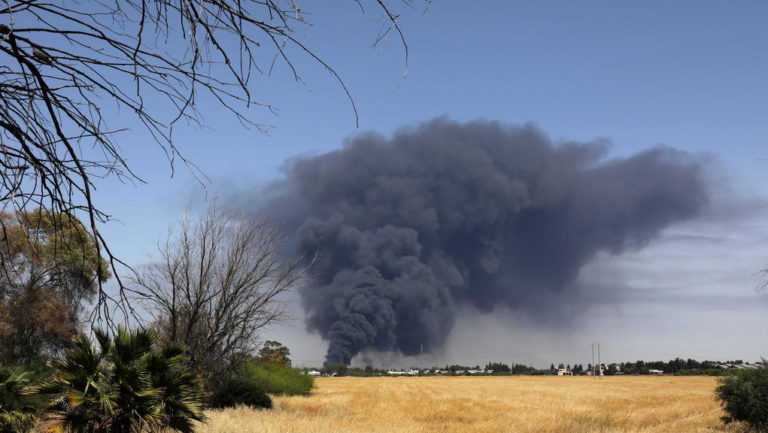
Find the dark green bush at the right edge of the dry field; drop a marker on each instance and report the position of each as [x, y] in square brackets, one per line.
[744, 397]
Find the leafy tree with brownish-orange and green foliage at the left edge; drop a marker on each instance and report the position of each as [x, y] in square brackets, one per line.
[50, 266]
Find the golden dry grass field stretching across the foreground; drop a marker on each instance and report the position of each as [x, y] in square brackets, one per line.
[542, 404]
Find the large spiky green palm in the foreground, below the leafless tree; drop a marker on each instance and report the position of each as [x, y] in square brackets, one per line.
[125, 385]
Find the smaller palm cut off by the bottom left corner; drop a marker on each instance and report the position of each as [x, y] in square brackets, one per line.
[17, 413]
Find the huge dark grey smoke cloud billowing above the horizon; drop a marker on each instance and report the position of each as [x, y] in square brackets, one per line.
[409, 228]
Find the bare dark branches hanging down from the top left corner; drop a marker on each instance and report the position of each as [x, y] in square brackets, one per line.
[69, 65]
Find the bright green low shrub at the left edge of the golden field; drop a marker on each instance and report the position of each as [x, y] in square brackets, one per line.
[278, 379]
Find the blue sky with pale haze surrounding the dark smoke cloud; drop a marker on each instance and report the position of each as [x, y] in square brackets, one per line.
[689, 74]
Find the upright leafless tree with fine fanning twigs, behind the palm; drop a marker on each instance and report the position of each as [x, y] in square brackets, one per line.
[217, 283]
